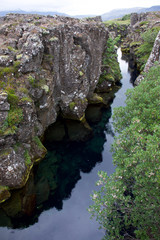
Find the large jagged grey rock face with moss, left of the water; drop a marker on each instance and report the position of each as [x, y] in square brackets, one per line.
[47, 65]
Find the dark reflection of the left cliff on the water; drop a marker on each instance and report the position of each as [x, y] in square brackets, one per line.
[55, 177]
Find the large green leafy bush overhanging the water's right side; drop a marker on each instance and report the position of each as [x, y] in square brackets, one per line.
[127, 205]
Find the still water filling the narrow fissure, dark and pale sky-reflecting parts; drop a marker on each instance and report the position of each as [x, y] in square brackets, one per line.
[64, 181]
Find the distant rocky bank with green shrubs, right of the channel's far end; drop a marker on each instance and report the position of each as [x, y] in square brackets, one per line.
[139, 42]
